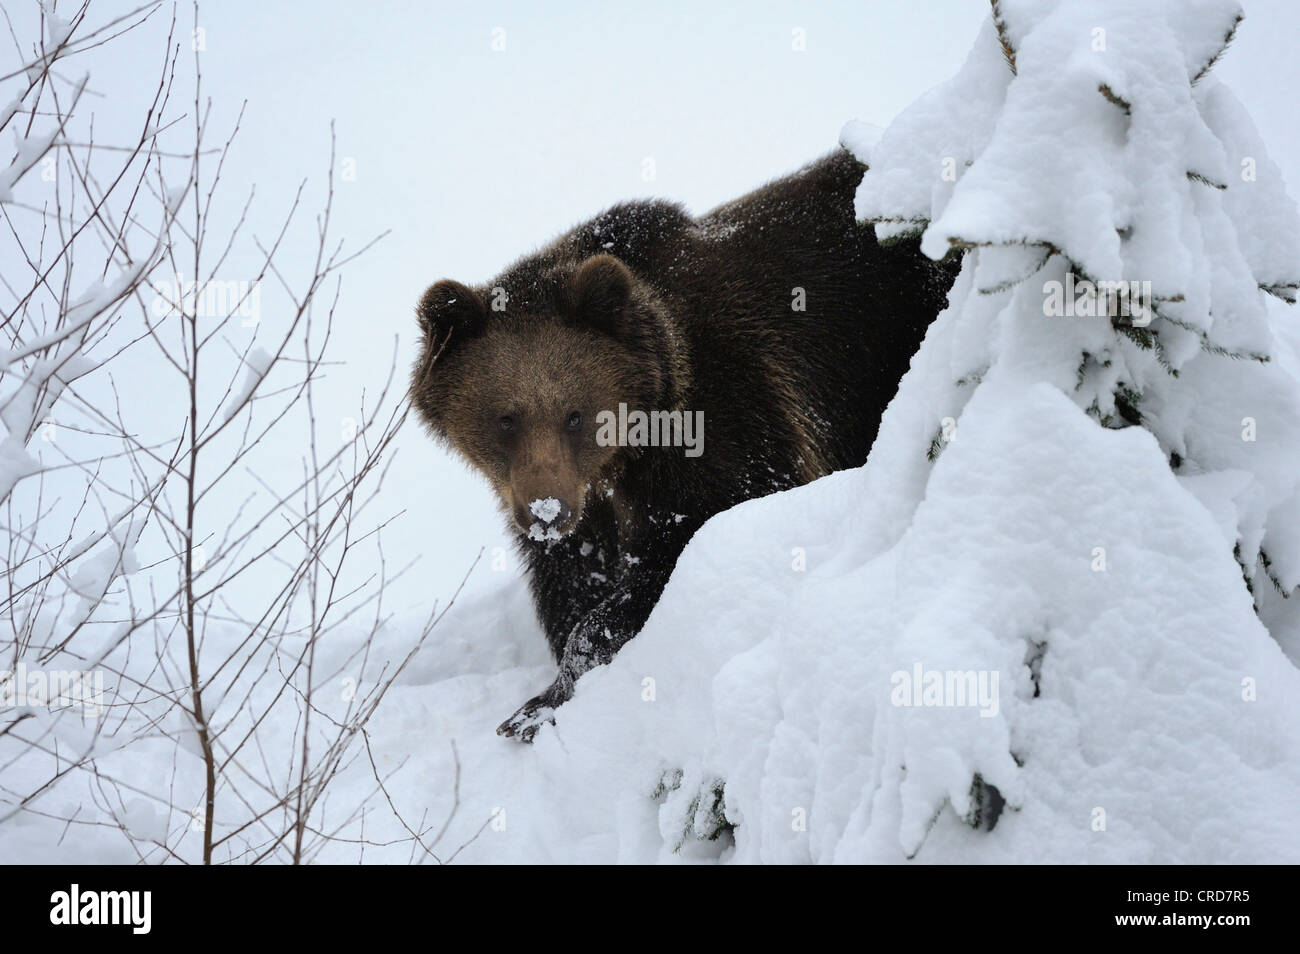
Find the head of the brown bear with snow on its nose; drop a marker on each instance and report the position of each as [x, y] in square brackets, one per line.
[515, 375]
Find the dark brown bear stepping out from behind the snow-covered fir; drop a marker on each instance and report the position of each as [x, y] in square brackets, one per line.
[584, 381]
